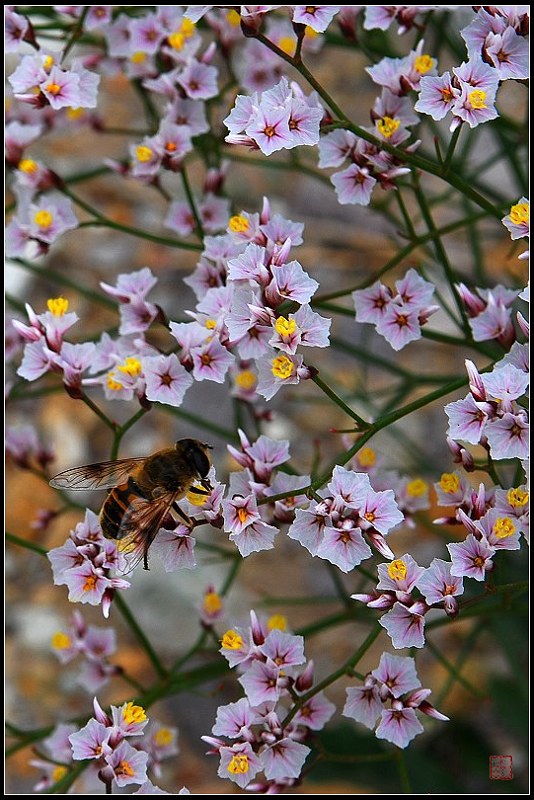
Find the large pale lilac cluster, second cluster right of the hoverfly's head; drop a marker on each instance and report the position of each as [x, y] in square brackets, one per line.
[333, 526]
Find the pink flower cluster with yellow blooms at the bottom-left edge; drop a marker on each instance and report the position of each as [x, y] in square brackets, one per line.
[117, 762]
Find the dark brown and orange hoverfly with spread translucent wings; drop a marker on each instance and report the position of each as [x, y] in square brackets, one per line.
[142, 491]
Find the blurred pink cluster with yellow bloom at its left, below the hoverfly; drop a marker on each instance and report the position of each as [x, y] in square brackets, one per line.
[96, 645]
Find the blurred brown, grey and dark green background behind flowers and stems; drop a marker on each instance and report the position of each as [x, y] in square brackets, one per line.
[342, 246]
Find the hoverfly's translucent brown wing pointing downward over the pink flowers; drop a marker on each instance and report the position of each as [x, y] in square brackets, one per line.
[140, 524]
